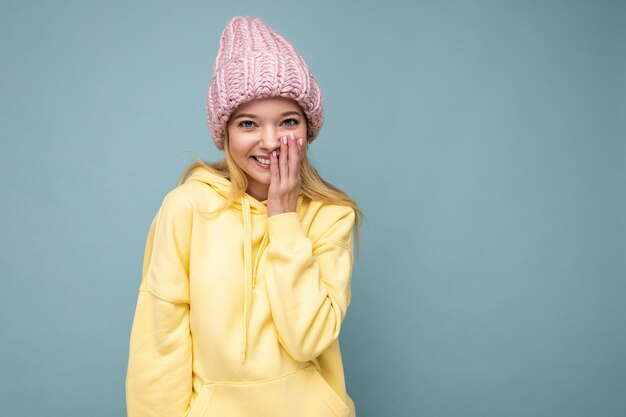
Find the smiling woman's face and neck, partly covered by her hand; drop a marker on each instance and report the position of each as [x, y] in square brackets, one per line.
[254, 131]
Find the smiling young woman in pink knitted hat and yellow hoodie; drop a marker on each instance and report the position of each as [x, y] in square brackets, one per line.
[248, 262]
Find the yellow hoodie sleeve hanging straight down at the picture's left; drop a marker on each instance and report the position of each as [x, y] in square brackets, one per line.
[159, 374]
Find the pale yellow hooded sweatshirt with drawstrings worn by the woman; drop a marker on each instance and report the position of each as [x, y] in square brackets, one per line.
[239, 314]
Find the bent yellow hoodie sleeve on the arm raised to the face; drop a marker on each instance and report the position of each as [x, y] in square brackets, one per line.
[308, 282]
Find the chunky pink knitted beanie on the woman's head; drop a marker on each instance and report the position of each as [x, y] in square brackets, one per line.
[254, 61]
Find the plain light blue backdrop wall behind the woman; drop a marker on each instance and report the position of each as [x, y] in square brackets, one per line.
[484, 140]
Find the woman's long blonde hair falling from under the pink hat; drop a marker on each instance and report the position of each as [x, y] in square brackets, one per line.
[312, 185]
